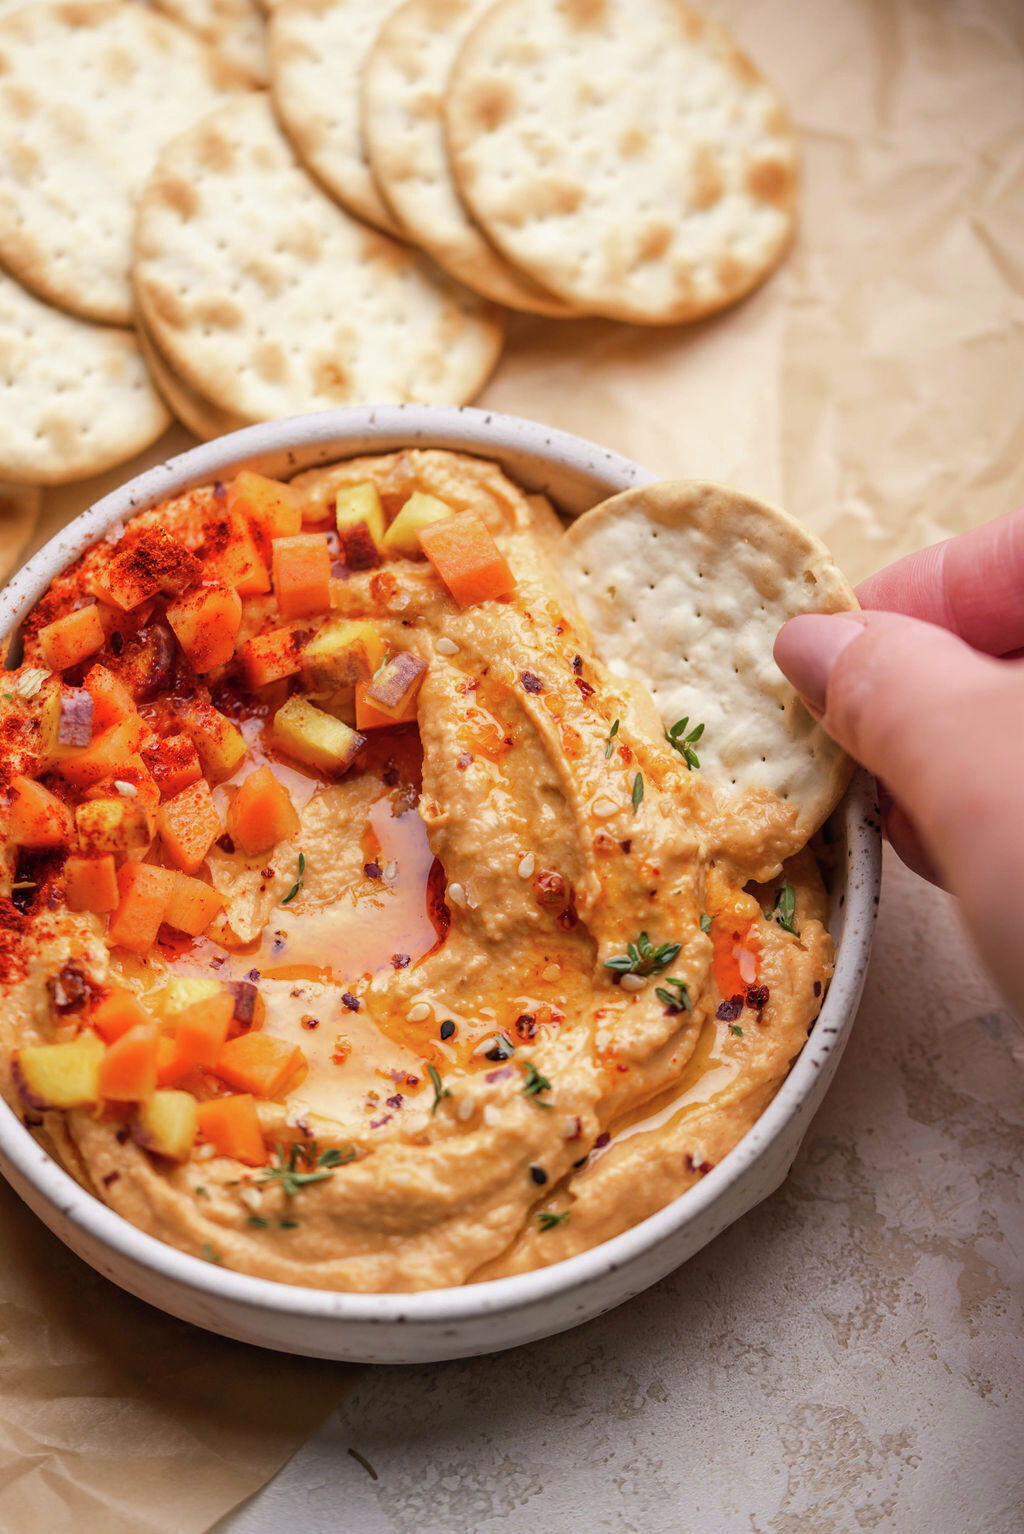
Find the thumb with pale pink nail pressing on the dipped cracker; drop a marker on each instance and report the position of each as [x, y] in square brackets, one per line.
[945, 728]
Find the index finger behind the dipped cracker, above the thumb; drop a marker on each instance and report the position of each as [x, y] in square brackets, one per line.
[973, 585]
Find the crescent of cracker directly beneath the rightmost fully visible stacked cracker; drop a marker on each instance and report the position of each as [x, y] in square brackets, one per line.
[405, 81]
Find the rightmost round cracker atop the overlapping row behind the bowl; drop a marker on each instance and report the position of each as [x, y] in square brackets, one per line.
[625, 153]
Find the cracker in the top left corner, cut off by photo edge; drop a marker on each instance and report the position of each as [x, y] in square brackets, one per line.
[88, 96]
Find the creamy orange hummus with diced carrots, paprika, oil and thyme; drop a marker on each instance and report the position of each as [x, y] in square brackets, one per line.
[359, 929]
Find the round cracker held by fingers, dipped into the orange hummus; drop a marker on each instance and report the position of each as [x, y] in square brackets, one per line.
[686, 587]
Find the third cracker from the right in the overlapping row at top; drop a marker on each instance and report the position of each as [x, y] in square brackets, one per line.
[318, 50]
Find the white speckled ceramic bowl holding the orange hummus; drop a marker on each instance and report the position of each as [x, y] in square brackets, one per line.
[479, 1318]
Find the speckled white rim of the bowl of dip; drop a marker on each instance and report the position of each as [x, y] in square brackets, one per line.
[490, 435]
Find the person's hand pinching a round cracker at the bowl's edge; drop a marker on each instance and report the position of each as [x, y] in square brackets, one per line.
[927, 690]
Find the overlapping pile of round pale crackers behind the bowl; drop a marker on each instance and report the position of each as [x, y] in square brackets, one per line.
[177, 237]
